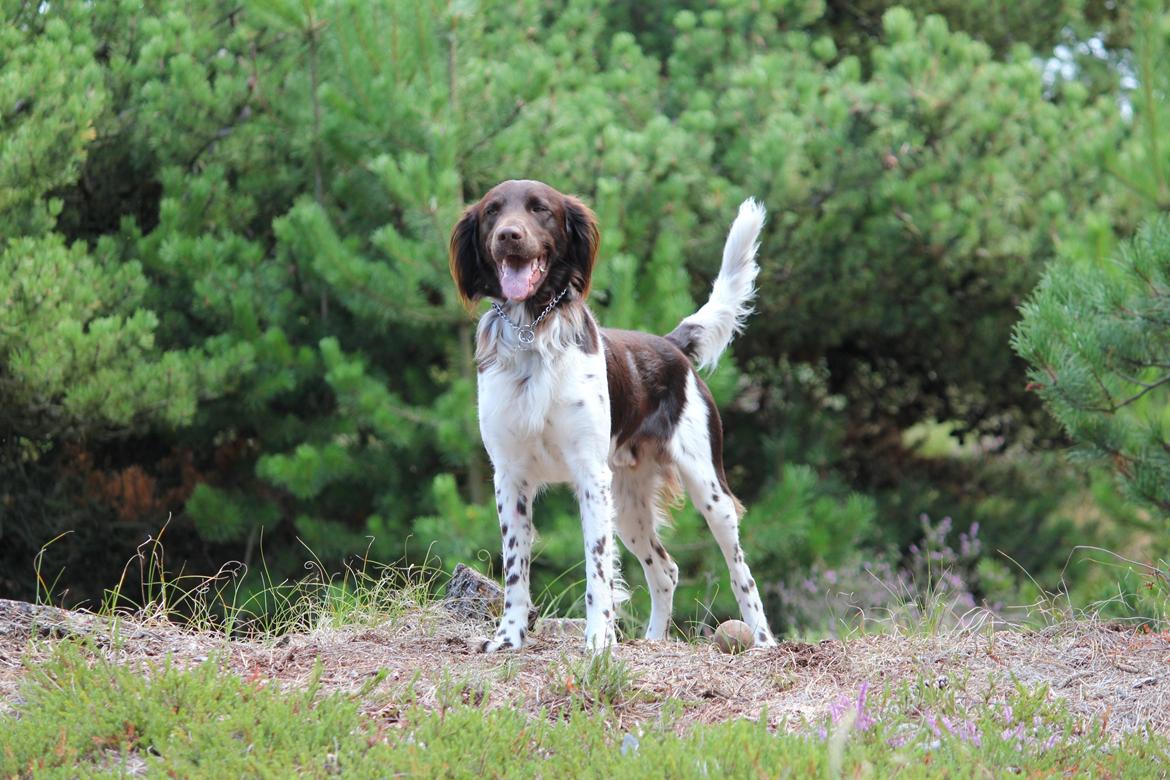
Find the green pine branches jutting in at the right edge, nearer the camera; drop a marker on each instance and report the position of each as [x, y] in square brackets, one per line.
[1098, 337]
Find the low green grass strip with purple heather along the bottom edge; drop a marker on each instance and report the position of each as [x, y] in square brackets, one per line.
[82, 716]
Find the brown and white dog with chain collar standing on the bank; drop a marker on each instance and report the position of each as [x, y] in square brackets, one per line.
[621, 416]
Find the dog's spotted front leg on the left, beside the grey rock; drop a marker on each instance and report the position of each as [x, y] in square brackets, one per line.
[515, 508]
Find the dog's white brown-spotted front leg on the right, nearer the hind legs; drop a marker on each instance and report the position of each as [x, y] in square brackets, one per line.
[595, 492]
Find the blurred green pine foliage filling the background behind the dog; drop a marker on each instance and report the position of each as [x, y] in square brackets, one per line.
[226, 298]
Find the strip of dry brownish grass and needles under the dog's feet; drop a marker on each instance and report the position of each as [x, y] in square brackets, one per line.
[1109, 674]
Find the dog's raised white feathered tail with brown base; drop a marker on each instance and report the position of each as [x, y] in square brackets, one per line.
[706, 334]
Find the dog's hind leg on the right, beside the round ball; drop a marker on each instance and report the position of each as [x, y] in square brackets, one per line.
[698, 451]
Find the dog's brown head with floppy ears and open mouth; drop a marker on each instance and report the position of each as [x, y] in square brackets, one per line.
[524, 241]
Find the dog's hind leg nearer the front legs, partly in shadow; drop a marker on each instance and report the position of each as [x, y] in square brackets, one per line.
[638, 493]
